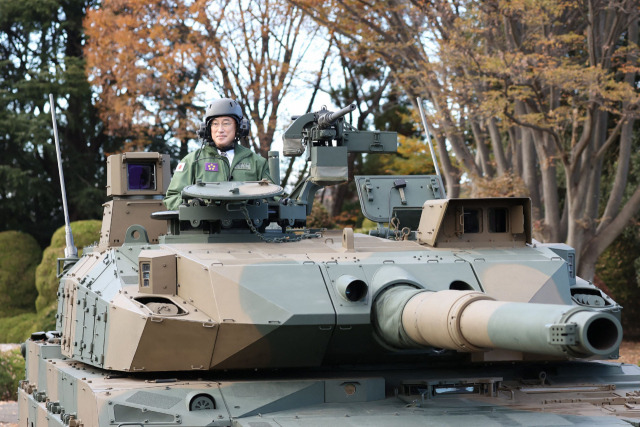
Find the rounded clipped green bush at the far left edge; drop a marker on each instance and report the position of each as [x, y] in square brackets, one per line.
[19, 257]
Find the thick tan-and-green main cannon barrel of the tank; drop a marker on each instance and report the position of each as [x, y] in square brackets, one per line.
[470, 321]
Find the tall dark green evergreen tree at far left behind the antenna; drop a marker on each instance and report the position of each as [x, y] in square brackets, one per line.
[41, 53]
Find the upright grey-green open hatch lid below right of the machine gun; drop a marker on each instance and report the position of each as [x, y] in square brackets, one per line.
[401, 196]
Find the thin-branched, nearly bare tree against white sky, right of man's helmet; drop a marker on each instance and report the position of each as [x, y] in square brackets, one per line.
[264, 44]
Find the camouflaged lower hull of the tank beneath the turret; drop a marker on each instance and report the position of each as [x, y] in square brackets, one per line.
[69, 393]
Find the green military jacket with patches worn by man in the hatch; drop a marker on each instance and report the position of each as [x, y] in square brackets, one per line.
[212, 167]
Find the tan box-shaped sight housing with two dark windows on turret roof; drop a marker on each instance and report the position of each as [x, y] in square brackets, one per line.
[457, 223]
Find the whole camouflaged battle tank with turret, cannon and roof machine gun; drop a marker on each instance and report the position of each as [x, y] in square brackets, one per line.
[230, 311]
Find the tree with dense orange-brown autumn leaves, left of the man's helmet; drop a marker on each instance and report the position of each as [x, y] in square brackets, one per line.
[145, 60]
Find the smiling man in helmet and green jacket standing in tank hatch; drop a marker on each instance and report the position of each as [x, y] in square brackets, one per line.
[221, 157]
